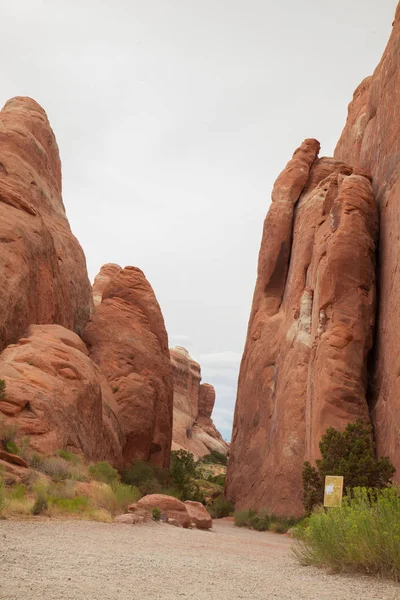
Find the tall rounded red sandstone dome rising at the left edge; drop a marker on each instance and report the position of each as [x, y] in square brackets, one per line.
[43, 275]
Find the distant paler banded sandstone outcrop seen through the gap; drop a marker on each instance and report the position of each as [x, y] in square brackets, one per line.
[193, 428]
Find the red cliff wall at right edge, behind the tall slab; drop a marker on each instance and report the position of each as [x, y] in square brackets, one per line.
[371, 140]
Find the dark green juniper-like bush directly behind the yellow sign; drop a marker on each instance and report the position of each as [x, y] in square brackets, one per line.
[350, 453]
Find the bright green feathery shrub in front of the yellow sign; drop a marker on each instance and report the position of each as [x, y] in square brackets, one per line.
[362, 535]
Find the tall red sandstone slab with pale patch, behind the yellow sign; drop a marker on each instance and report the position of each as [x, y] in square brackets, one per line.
[310, 328]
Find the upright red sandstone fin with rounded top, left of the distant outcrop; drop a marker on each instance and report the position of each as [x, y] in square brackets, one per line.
[127, 339]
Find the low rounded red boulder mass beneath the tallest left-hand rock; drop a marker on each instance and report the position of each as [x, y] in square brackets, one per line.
[56, 395]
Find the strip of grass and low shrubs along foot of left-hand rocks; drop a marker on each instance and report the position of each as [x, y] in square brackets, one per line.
[64, 484]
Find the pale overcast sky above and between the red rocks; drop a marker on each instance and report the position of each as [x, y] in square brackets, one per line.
[174, 118]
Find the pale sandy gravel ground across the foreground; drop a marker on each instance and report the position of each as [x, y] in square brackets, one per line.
[77, 560]
